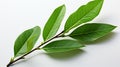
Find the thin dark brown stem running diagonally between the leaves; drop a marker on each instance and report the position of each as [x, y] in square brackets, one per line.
[10, 63]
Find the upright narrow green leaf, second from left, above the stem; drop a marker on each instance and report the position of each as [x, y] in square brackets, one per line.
[54, 22]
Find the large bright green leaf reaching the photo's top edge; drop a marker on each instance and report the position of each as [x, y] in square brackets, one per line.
[84, 14]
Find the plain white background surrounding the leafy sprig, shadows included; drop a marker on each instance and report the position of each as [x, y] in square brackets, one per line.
[19, 15]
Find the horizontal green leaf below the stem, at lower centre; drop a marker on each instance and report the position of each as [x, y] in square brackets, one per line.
[62, 46]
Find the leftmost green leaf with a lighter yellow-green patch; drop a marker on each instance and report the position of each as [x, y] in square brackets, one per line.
[26, 41]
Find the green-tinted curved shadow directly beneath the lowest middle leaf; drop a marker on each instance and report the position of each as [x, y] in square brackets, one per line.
[66, 55]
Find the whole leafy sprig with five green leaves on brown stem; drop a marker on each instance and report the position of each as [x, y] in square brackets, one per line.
[83, 33]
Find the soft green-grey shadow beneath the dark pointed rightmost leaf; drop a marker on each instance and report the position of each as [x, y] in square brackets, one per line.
[103, 39]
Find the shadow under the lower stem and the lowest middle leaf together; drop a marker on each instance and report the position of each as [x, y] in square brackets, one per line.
[58, 56]
